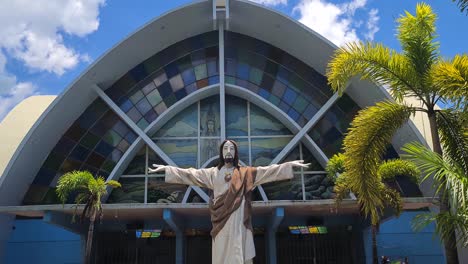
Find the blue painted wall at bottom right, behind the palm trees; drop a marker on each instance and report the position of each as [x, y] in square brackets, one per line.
[396, 240]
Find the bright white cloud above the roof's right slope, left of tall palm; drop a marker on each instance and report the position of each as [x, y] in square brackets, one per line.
[336, 21]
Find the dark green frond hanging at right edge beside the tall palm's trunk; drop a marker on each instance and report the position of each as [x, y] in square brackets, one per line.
[454, 137]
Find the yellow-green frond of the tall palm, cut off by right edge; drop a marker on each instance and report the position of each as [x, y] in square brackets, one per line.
[451, 78]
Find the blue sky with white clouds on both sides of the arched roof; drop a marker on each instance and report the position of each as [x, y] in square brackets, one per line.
[46, 44]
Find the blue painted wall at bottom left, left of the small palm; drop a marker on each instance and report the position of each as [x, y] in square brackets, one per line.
[35, 241]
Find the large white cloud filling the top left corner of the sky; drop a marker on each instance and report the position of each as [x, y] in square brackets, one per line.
[33, 31]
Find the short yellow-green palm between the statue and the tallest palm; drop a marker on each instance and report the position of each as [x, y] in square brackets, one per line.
[385, 196]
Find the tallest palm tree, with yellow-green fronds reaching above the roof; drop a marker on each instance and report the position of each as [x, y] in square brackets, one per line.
[417, 71]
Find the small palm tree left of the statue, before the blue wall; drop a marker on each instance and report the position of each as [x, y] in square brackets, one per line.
[89, 192]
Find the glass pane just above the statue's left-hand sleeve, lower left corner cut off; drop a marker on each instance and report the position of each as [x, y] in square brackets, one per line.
[182, 152]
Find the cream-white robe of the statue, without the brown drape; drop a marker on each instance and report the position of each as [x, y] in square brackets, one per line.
[234, 243]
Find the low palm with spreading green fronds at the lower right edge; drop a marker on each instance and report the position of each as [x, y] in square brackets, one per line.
[452, 169]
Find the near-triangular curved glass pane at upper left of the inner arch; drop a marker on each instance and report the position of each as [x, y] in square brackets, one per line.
[183, 124]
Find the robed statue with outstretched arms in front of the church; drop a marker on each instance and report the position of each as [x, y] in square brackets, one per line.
[230, 205]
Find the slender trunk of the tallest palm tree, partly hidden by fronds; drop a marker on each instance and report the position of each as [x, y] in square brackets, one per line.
[451, 243]
